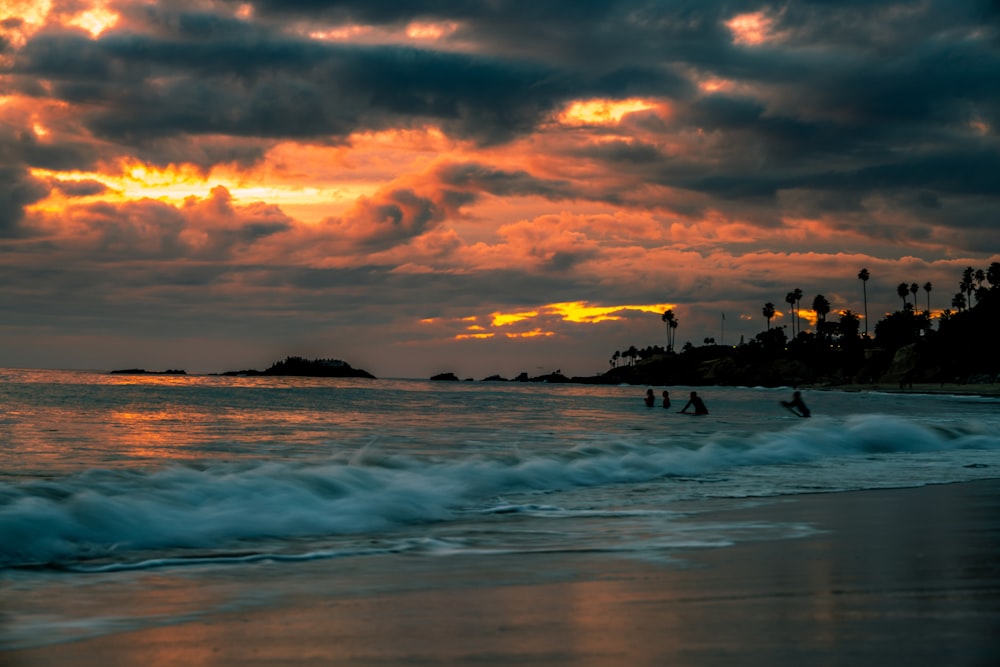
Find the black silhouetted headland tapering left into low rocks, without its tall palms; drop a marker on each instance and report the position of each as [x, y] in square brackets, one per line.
[906, 354]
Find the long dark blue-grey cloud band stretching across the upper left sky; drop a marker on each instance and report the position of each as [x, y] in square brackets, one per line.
[141, 87]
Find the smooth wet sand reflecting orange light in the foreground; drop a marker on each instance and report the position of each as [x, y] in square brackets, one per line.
[907, 577]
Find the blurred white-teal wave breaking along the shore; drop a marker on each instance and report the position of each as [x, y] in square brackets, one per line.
[108, 513]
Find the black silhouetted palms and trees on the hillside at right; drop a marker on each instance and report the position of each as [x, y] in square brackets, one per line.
[905, 345]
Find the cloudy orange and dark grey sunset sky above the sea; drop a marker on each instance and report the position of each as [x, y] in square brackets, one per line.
[478, 187]
